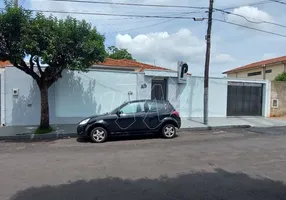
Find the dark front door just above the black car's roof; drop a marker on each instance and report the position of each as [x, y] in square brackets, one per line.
[158, 89]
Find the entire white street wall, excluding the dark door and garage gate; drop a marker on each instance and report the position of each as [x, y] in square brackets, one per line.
[78, 95]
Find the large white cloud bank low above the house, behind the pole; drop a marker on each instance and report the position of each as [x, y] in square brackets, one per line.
[165, 49]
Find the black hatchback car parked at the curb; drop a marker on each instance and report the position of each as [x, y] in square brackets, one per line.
[142, 116]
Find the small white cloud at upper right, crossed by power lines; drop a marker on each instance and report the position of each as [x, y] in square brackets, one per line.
[251, 14]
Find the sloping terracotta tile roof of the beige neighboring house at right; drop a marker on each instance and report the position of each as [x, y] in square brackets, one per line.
[257, 64]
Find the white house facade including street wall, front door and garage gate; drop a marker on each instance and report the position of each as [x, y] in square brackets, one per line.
[80, 94]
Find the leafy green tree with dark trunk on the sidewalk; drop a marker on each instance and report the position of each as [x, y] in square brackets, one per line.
[51, 45]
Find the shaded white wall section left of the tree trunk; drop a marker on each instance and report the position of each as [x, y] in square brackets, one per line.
[23, 109]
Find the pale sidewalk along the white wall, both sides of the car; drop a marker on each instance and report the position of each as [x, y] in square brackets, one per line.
[69, 130]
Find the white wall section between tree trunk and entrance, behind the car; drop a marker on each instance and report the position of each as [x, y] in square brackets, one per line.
[96, 92]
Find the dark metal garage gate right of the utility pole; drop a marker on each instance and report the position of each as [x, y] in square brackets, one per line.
[244, 99]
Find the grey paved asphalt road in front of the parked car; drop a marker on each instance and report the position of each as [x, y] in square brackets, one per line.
[236, 164]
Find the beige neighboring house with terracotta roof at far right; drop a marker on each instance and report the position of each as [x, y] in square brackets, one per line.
[263, 70]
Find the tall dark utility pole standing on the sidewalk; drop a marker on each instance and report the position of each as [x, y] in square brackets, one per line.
[207, 63]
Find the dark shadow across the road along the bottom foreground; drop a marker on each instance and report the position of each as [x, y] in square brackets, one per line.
[220, 185]
